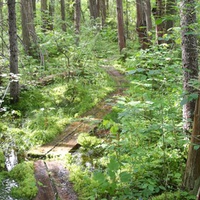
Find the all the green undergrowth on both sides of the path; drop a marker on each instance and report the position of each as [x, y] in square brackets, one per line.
[138, 152]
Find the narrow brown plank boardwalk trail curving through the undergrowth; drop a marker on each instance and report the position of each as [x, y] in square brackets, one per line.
[52, 177]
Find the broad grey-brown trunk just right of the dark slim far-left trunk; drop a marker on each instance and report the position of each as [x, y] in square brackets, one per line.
[28, 27]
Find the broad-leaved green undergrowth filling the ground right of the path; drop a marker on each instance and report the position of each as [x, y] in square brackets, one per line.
[144, 155]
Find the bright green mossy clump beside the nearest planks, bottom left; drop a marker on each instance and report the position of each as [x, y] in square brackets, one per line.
[23, 173]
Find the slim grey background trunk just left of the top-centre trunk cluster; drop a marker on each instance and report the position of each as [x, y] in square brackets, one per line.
[77, 19]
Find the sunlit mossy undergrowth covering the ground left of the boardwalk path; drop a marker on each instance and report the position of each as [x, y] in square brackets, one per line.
[66, 82]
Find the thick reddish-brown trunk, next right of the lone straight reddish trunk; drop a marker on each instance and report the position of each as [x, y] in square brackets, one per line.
[141, 24]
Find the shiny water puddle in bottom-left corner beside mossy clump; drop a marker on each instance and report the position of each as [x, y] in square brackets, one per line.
[5, 188]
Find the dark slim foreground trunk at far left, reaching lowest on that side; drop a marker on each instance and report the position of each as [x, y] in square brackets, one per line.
[14, 86]
